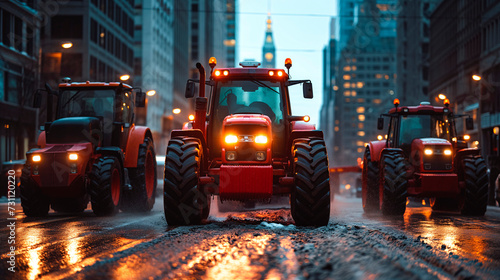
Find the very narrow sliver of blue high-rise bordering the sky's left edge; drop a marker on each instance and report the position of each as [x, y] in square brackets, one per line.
[232, 31]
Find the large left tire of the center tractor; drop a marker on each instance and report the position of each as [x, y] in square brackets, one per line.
[183, 202]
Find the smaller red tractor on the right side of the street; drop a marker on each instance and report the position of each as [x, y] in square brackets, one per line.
[423, 157]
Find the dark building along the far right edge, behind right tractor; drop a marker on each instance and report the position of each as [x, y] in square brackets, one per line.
[465, 41]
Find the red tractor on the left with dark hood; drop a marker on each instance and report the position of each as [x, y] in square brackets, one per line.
[91, 151]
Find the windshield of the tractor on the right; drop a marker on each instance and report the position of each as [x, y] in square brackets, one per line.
[424, 126]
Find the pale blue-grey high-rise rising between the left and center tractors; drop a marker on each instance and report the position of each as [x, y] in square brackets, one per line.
[154, 65]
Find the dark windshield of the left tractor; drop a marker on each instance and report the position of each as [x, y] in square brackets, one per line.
[85, 102]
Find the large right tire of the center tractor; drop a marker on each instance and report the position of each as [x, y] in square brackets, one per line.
[310, 199]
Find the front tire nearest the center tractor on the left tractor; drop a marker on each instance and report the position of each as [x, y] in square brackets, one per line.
[106, 186]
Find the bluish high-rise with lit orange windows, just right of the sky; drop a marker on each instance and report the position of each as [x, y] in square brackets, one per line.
[365, 79]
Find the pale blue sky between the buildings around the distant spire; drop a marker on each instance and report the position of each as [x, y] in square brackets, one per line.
[301, 29]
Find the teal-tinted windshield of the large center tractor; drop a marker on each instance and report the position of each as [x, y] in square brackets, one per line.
[249, 96]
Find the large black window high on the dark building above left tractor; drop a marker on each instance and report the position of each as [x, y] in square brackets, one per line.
[66, 27]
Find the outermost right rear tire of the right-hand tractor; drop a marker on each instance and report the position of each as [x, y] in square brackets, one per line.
[476, 186]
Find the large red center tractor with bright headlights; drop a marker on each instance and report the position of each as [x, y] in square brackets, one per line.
[247, 146]
